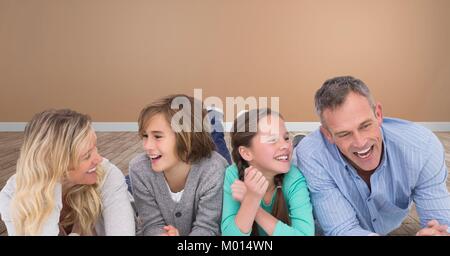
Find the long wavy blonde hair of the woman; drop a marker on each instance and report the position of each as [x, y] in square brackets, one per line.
[52, 143]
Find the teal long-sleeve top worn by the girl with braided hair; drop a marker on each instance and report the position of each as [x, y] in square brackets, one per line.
[297, 199]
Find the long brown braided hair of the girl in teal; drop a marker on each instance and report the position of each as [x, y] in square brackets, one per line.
[242, 134]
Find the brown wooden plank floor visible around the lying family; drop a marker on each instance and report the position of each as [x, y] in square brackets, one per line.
[121, 147]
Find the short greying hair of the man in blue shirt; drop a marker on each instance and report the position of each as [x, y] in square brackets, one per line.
[334, 91]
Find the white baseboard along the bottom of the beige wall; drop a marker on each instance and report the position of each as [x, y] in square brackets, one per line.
[133, 126]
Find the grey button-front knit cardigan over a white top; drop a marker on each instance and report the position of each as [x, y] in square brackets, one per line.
[198, 212]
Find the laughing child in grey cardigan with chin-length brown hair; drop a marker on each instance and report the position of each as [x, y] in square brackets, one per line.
[178, 182]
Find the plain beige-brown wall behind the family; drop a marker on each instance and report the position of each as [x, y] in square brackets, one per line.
[109, 58]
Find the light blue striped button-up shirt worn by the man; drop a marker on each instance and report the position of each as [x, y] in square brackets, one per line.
[412, 169]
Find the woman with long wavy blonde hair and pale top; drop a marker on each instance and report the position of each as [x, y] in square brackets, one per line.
[62, 185]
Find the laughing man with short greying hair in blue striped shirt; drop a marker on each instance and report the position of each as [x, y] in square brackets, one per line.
[364, 171]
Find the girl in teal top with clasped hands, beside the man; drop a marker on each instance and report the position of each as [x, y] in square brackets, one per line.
[263, 193]
